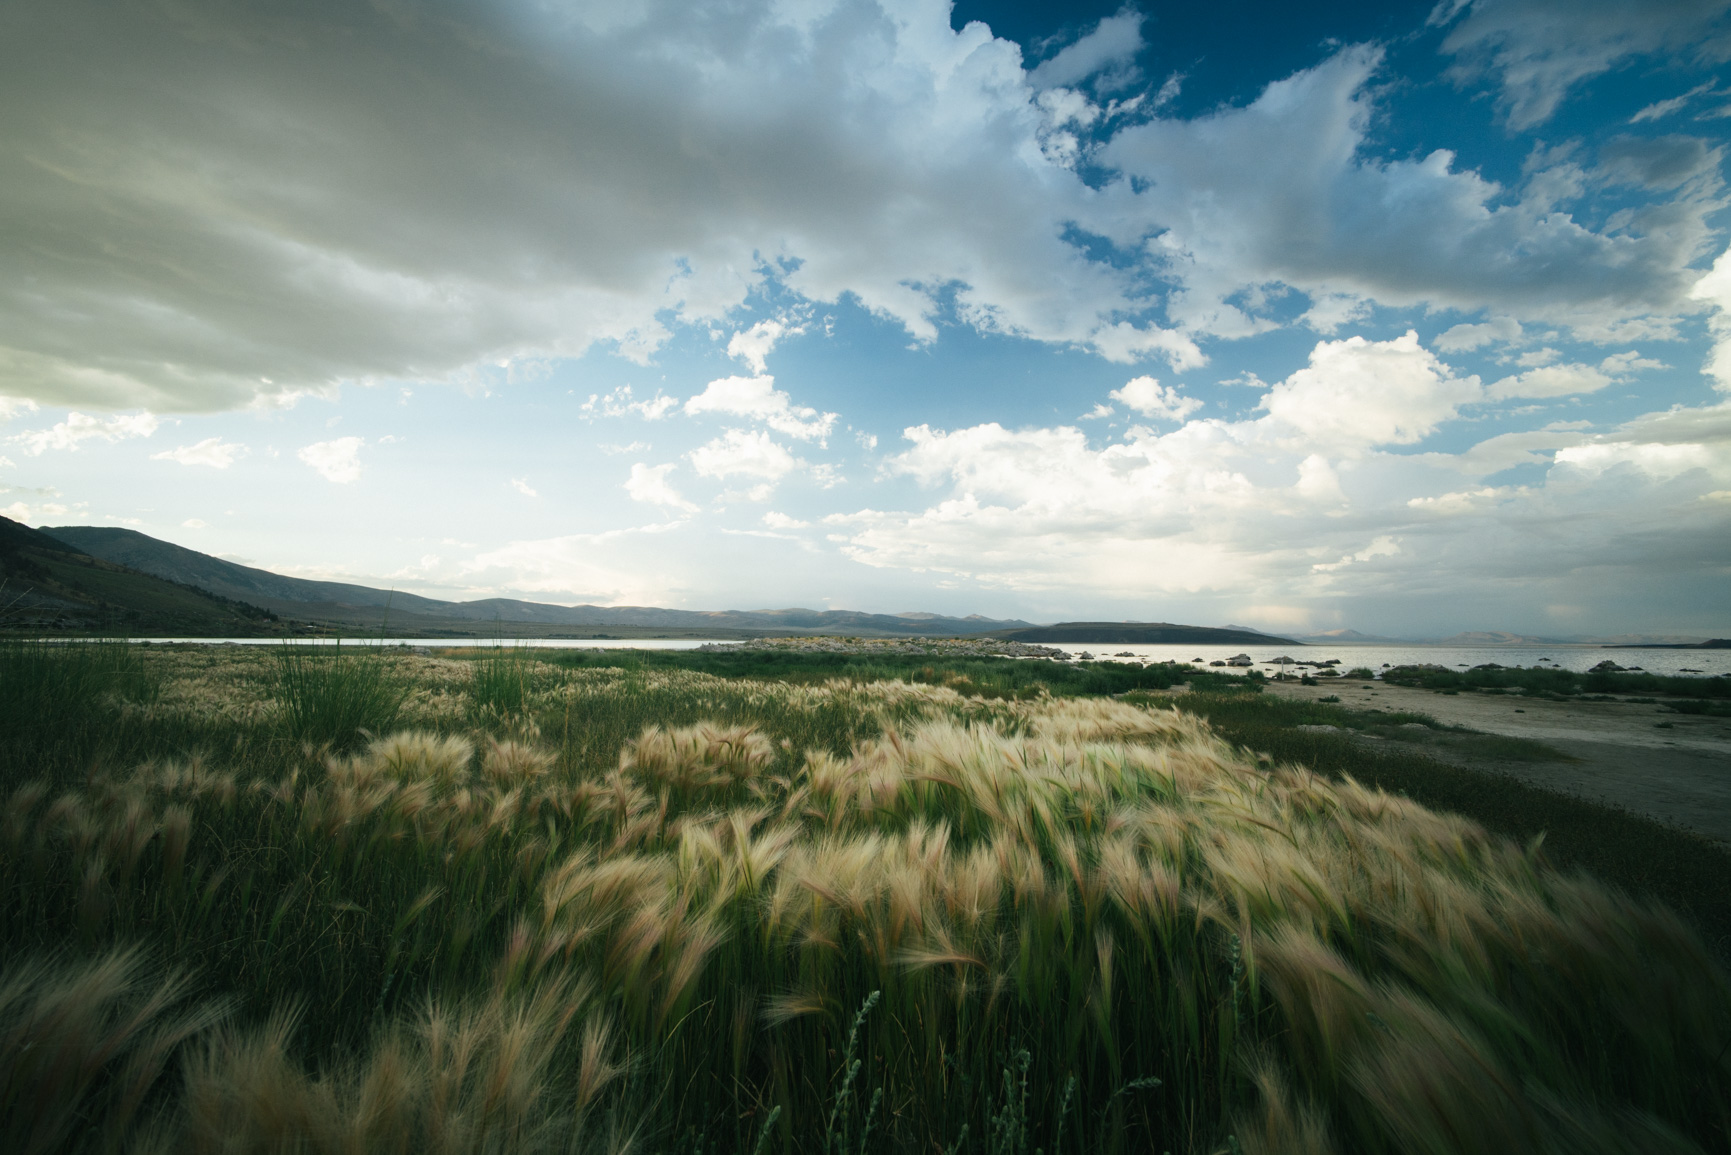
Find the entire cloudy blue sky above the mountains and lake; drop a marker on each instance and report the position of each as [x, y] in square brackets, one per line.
[1403, 318]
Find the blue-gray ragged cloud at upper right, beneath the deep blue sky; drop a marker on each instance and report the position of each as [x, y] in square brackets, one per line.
[1284, 193]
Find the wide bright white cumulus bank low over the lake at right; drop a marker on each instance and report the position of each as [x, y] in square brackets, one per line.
[1316, 500]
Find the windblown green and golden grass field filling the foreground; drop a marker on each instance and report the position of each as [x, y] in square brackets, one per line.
[349, 901]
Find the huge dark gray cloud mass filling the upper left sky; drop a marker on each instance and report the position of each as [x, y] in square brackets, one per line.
[210, 202]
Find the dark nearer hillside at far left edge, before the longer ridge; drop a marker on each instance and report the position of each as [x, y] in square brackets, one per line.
[49, 586]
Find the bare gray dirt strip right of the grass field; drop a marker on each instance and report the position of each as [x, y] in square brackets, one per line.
[1678, 773]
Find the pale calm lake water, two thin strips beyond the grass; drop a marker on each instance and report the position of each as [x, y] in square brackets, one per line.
[1375, 657]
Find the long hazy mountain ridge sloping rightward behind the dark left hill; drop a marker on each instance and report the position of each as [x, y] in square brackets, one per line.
[406, 614]
